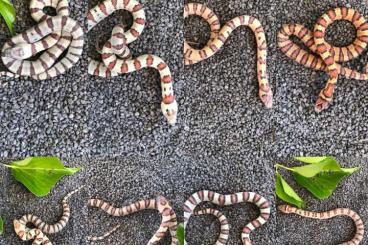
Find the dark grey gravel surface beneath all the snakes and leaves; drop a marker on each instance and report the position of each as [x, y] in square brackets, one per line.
[225, 140]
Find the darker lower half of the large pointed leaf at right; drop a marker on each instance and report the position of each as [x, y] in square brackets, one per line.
[323, 184]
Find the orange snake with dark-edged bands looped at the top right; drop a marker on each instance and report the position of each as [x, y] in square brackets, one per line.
[324, 56]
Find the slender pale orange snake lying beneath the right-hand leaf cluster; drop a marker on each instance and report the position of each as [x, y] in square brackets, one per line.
[287, 209]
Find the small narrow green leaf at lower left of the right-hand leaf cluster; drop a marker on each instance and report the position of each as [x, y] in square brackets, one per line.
[286, 193]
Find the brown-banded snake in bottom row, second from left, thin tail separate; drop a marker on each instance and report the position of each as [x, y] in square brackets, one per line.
[161, 204]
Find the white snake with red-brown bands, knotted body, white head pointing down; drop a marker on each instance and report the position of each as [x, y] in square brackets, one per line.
[116, 56]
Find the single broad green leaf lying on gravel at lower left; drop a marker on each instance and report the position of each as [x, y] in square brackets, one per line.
[40, 174]
